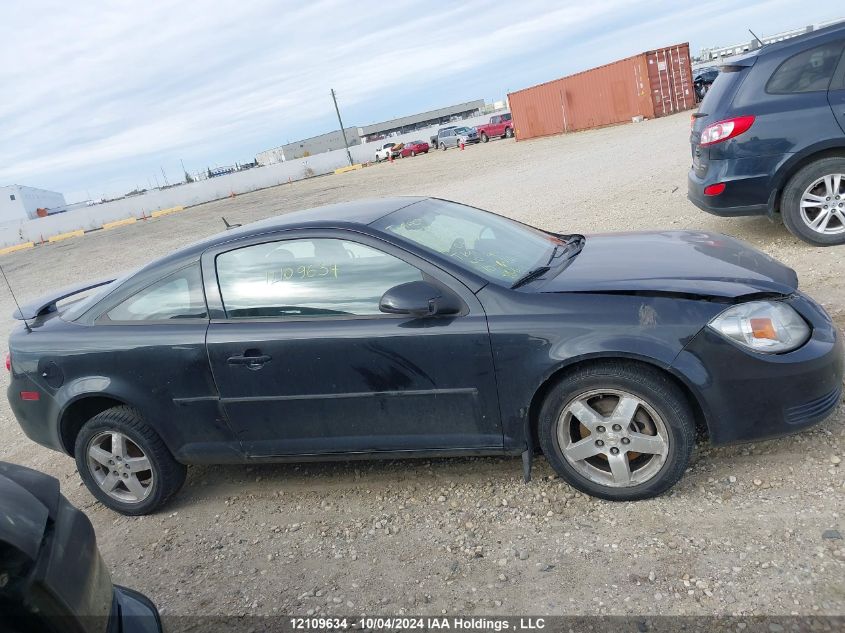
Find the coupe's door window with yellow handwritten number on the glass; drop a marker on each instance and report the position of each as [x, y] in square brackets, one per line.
[308, 278]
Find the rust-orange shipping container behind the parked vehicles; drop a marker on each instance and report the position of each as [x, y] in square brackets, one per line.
[651, 84]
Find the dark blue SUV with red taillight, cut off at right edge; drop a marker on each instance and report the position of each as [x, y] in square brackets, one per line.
[769, 137]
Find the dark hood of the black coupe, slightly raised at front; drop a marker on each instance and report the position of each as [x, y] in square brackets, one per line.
[683, 262]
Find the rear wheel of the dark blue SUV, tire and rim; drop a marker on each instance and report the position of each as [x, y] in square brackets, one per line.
[813, 205]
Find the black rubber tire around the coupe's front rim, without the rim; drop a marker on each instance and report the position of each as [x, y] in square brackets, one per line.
[659, 394]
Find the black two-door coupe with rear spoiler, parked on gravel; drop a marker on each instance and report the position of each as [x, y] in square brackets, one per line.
[410, 327]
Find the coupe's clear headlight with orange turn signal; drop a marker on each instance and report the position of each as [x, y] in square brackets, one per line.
[764, 326]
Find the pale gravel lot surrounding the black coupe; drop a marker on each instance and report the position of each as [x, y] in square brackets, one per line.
[750, 529]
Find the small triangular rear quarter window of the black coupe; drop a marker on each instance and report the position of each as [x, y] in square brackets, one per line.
[177, 296]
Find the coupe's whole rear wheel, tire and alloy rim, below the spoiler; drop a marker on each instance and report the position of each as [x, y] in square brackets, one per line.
[125, 464]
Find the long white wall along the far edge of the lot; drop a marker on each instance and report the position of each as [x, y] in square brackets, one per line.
[94, 217]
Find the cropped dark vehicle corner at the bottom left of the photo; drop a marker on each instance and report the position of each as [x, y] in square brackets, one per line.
[54, 578]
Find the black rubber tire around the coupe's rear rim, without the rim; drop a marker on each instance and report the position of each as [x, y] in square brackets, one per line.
[106, 422]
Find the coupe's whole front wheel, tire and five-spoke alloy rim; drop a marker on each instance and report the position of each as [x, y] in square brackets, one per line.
[617, 430]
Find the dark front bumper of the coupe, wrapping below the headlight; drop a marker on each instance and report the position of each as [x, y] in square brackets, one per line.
[749, 396]
